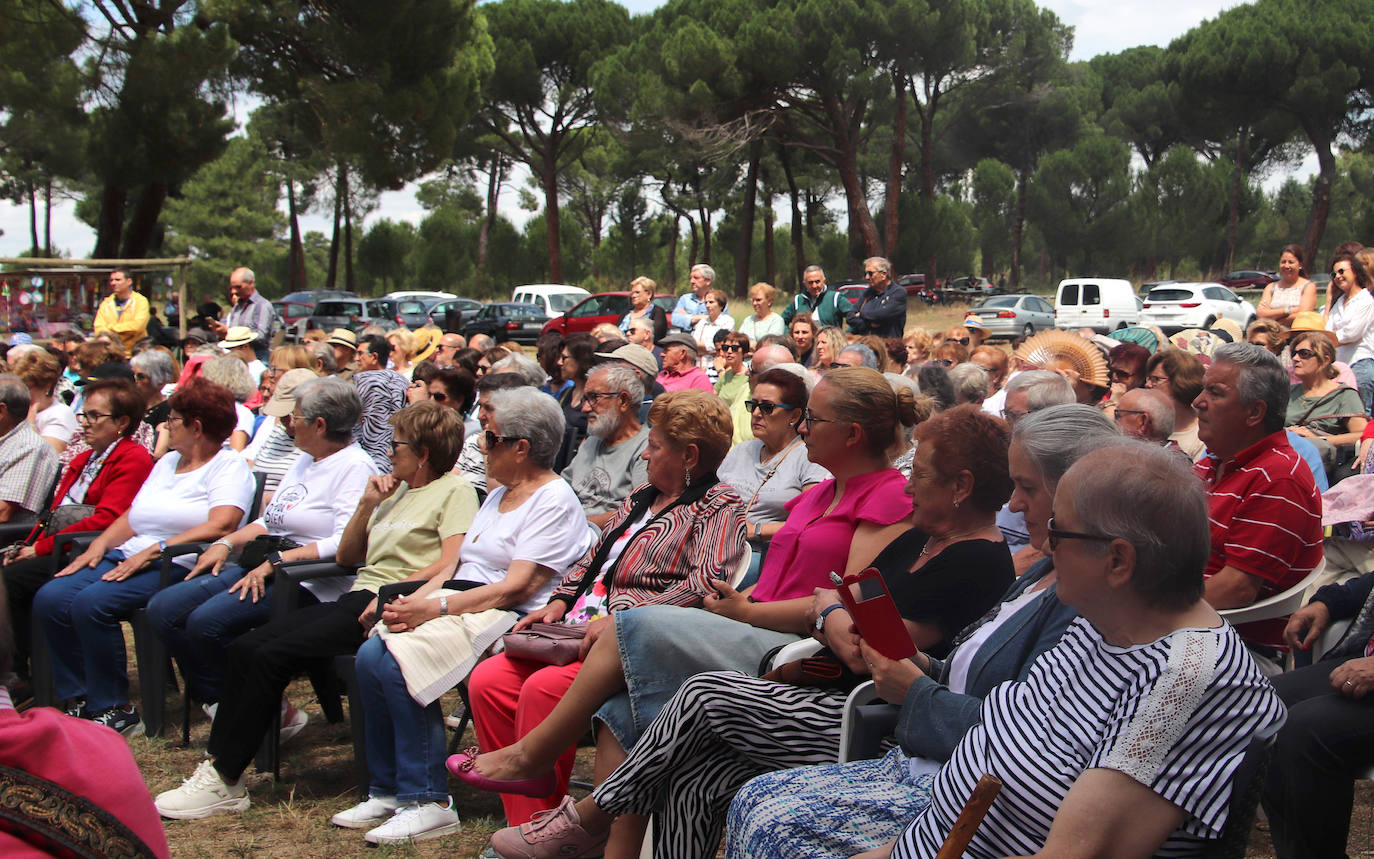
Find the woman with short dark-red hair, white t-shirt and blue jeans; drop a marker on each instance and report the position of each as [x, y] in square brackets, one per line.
[197, 493]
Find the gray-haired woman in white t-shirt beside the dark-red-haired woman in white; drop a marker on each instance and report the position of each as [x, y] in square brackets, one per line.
[197, 619]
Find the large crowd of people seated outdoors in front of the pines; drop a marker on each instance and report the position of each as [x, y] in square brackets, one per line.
[677, 495]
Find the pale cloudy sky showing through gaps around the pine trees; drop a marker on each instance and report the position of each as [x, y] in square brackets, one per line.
[1100, 28]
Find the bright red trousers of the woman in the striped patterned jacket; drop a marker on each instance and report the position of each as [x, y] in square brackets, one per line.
[509, 699]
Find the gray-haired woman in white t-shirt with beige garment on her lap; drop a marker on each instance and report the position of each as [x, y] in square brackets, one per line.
[523, 541]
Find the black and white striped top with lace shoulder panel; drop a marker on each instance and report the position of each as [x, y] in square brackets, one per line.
[1175, 715]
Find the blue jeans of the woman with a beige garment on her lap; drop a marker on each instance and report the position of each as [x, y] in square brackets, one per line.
[405, 740]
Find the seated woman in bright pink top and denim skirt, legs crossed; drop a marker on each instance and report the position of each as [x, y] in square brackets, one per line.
[839, 526]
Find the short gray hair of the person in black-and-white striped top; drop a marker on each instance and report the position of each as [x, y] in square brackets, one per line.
[1148, 497]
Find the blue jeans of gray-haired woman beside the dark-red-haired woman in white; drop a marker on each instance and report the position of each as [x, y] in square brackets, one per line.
[199, 619]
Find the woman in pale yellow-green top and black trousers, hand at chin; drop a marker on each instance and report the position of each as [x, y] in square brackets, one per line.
[407, 527]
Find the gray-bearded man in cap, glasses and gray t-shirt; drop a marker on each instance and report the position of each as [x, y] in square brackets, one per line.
[611, 464]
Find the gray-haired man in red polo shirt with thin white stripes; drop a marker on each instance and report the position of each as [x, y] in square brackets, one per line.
[1263, 505]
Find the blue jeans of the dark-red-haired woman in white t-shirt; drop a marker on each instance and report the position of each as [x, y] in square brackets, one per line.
[80, 619]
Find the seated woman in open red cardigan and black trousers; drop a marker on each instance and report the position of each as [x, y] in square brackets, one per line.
[105, 479]
